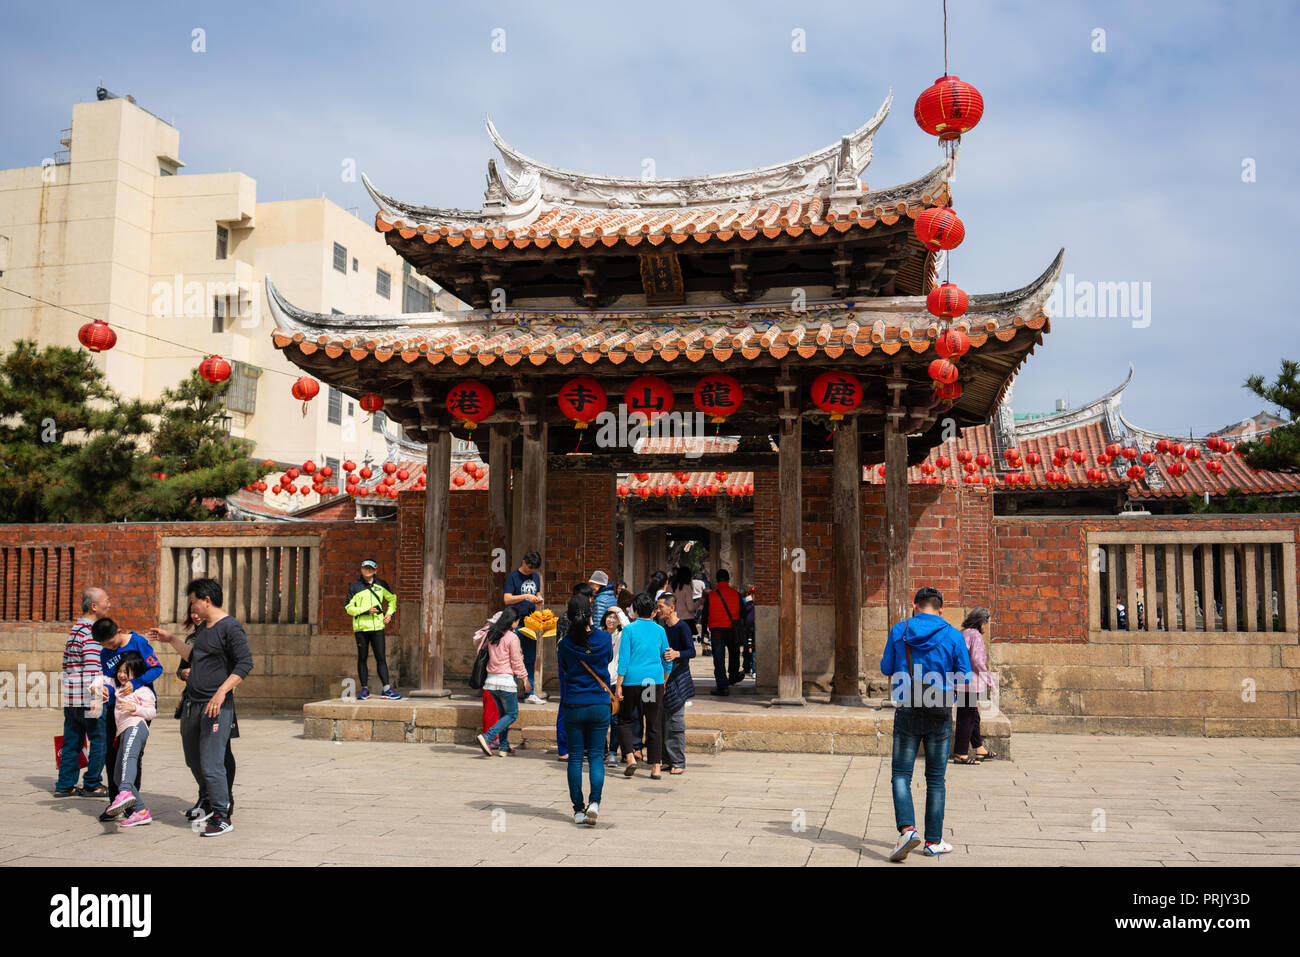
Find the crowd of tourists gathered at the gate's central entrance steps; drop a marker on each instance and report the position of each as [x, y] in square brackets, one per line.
[623, 665]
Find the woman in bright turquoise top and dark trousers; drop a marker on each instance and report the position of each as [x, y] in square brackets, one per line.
[642, 666]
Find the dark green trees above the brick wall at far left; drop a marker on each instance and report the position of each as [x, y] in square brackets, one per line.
[72, 451]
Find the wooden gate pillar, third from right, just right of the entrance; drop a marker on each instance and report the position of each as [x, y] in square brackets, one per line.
[790, 672]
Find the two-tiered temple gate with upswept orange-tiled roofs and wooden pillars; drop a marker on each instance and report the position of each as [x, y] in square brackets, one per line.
[773, 276]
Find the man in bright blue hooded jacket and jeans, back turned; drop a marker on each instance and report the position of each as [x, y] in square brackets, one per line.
[925, 659]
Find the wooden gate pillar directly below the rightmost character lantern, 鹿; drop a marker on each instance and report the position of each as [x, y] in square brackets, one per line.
[847, 568]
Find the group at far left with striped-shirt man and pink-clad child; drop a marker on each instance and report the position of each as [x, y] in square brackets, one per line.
[110, 704]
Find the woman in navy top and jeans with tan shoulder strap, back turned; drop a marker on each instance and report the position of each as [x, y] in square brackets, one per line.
[583, 657]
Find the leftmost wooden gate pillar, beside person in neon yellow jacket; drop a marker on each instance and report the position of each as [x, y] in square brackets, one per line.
[435, 594]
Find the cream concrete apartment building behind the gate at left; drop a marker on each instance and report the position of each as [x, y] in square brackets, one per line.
[111, 229]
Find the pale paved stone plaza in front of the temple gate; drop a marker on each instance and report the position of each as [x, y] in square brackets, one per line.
[1165, 800]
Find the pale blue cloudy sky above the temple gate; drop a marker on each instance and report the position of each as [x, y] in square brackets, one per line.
[1132, 158]
